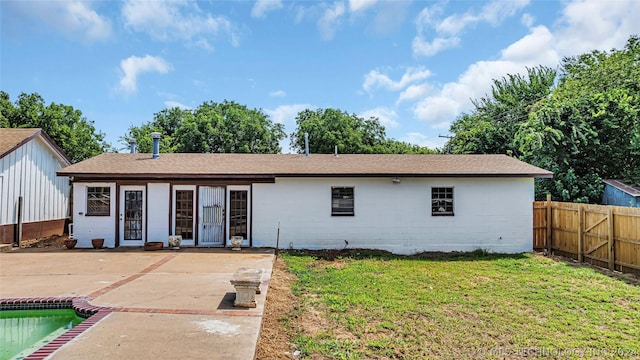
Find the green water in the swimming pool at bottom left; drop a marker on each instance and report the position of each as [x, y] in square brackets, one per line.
[25, 331]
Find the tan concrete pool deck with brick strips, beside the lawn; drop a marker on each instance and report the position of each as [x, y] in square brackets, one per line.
[166, 304]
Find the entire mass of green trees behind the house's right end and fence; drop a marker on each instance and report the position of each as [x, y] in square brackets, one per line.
[584, 128]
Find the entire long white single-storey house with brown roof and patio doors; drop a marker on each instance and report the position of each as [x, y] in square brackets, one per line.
[401, 203]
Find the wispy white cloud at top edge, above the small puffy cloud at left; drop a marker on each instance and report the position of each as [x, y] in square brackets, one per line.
[176, 20]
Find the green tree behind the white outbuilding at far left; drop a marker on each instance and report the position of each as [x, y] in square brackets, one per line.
[75, 135]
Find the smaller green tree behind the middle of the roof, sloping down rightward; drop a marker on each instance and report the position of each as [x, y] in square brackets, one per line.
[328, 128]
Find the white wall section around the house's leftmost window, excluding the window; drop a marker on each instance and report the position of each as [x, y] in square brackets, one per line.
[85, 227]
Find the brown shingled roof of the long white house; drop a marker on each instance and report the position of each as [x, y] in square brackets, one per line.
[110, 165]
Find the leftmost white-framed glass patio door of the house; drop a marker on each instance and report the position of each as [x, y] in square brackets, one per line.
[132, 215]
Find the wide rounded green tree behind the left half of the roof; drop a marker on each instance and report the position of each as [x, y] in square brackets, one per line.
[226, 127]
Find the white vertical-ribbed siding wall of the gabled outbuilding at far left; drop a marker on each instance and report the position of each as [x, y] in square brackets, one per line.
[30, 171]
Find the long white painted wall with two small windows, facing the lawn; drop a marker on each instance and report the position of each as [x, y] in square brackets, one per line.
[490, 213]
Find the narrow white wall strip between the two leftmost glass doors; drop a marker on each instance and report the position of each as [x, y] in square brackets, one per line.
[158, 212]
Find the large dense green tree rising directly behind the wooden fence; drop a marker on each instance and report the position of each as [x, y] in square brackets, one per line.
[589, 128]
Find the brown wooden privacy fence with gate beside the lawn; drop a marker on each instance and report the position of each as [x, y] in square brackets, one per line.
[605, 236]
